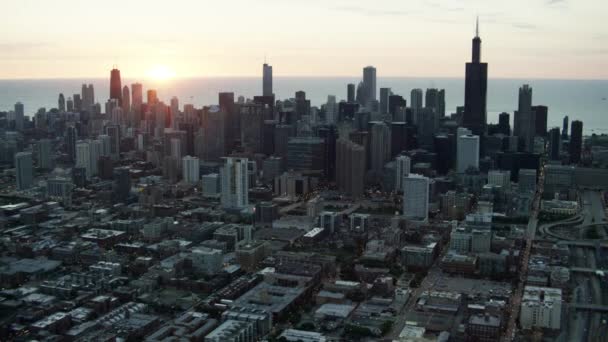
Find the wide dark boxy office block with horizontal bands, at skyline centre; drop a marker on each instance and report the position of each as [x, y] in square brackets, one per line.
[305, 153]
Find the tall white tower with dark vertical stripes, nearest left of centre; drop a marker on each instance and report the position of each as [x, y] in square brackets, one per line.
[235, 183]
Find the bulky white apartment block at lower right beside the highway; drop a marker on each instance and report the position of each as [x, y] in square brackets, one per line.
[541, 307]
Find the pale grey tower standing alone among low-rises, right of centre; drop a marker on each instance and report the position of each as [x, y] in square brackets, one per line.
[415, 197]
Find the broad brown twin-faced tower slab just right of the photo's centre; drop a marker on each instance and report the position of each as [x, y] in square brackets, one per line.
[350, 167]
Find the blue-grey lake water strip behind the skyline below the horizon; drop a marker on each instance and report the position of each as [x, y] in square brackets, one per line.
[579, 99]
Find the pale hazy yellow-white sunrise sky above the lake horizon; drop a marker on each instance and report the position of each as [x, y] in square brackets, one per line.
[521, 38]
